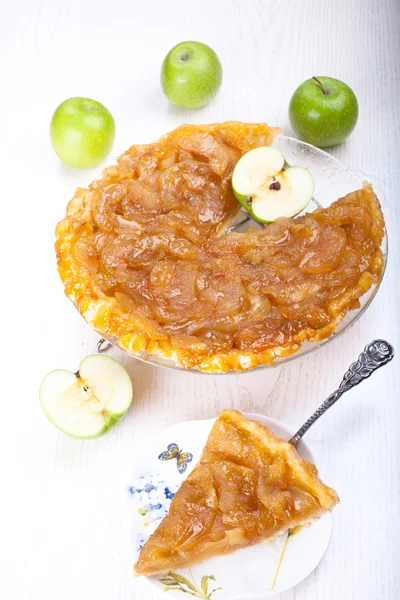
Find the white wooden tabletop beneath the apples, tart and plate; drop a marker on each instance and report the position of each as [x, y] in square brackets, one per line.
[63, 523]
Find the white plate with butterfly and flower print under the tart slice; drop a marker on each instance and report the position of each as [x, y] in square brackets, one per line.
[259, 571]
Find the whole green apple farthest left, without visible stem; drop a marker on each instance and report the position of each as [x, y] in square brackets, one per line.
[82, 132]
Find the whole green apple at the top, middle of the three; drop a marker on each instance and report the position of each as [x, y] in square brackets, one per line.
[191, 74]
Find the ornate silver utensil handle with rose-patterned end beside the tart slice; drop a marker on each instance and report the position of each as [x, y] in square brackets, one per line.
[375, 355]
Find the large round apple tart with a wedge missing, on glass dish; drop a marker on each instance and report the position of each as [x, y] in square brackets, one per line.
[143, 254]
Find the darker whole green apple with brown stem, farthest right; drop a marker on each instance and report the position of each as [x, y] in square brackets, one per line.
[323, 111]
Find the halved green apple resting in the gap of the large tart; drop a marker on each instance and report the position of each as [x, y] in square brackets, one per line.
[267, 189]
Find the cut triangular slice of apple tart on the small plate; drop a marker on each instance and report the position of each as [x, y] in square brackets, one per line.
[249, 486]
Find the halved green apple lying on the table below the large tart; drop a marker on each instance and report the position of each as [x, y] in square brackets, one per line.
[88, 403]
